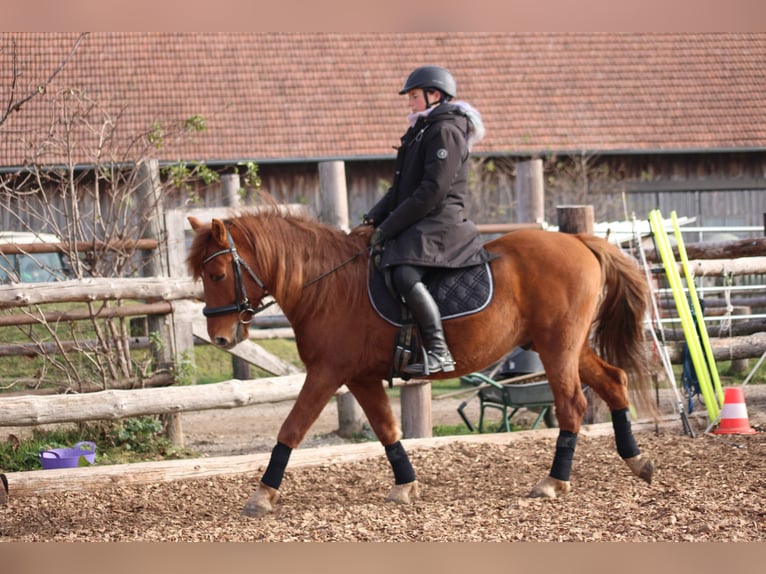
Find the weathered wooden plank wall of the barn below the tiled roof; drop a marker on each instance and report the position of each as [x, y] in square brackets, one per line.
[717, 189]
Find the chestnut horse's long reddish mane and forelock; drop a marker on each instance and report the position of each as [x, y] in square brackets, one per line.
[295, 250]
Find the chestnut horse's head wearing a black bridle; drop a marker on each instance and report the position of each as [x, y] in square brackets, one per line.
[229, 282]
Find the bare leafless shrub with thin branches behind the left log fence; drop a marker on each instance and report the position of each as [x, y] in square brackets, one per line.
[98, 204]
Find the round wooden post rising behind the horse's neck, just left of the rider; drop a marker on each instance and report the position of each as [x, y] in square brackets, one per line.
[333, 202]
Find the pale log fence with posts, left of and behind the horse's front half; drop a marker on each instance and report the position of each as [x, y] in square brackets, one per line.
[171, 304]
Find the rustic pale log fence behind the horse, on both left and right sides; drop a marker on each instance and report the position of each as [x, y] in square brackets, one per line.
[171, 300]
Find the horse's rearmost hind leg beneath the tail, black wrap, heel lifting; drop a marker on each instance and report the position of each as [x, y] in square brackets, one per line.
[611, 384]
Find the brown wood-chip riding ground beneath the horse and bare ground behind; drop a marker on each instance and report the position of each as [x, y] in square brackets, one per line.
[707, 488]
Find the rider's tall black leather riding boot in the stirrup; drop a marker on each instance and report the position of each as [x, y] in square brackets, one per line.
[426, 313]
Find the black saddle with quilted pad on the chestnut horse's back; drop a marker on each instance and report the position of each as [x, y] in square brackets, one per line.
[457, 292]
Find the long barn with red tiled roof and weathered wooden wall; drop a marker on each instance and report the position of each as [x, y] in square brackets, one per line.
[624, 122]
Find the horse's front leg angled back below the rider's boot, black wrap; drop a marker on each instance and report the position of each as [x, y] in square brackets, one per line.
[376, 406]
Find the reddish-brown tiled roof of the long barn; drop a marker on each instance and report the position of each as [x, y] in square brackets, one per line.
[288, 96]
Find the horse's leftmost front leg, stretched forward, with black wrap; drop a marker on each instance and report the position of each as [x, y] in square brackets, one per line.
[314, 396]
